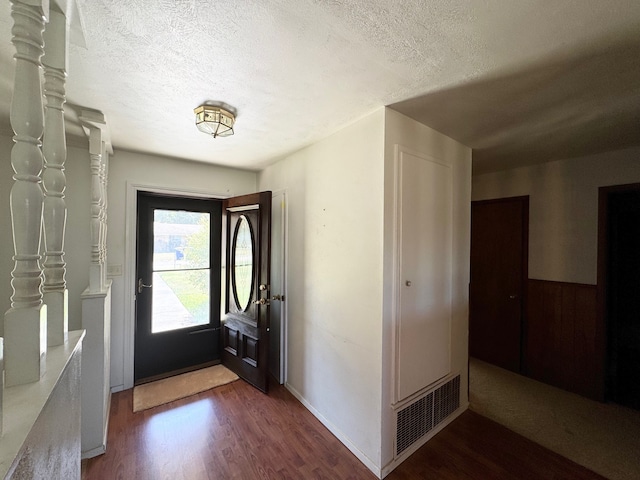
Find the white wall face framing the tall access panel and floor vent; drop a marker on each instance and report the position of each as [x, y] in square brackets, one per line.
[412, 135]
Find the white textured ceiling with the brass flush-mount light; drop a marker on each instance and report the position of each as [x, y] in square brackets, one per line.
[520, 82]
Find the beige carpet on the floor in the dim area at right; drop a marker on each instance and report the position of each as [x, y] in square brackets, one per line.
[602, 437]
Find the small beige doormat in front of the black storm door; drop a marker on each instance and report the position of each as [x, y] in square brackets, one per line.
[181, 386]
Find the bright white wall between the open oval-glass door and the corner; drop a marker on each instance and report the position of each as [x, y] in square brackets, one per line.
[334, 276]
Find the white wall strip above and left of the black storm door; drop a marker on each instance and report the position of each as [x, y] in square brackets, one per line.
[127, 169]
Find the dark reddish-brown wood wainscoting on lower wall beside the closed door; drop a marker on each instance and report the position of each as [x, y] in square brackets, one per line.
[563, 341]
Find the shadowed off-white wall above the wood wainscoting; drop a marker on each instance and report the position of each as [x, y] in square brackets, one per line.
[563, 209]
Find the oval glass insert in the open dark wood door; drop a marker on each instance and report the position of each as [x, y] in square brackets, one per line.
[243, 263]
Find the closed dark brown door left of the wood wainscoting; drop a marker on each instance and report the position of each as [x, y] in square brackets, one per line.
[499, 245]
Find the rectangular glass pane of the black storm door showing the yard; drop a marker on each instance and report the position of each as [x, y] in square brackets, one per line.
[181, 270]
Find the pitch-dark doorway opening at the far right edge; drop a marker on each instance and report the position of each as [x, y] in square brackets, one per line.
[623, 297]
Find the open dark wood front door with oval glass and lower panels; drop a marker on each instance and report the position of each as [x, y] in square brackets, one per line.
[245, 327]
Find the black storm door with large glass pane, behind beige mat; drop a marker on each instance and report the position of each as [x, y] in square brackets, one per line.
[178, 284]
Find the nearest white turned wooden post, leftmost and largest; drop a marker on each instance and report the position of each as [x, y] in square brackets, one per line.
[25, 323]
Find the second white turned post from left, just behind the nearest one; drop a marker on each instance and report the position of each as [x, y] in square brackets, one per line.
[54, 180]
